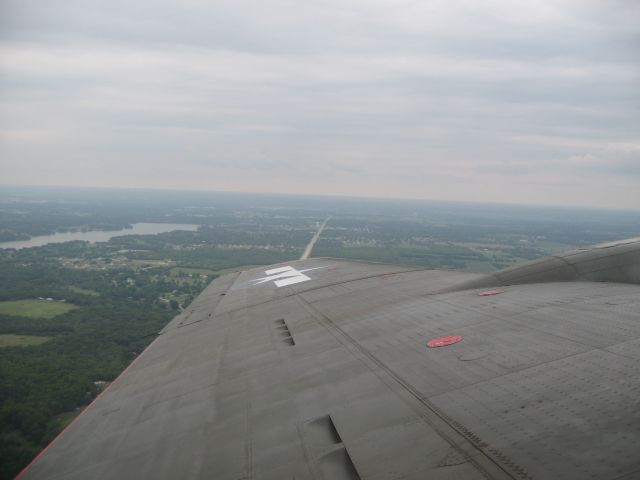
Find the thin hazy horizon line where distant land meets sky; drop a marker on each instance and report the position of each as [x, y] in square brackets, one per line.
[328, 196]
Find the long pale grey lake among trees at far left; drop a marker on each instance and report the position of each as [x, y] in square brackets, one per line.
[99, 235]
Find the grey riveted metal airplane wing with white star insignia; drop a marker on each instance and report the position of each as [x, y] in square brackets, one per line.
[330, 369]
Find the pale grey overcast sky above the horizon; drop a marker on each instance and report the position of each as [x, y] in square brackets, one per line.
[493, 100]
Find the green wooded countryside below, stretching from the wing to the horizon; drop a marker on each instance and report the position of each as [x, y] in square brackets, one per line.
[74, 314]
